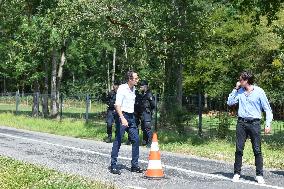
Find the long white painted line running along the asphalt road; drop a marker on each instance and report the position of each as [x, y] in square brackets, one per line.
[142, 161]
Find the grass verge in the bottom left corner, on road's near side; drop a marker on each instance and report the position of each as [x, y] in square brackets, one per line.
[15, 174]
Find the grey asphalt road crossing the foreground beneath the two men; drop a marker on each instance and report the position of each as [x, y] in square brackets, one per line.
[91, 159]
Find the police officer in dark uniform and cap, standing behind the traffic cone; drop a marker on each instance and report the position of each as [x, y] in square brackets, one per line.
[147, 107]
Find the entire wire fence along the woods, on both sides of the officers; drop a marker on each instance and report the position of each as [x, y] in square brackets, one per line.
[198, 114]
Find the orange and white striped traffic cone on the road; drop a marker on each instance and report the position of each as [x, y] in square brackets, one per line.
[154, 170]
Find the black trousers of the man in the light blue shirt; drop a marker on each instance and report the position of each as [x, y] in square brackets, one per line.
[252, 129]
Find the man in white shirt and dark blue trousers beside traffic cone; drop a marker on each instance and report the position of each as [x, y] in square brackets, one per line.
[124, 105]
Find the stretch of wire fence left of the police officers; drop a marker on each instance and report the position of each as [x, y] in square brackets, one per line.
[74, 107]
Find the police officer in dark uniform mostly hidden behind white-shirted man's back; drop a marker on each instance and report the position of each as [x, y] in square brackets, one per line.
[110, 117]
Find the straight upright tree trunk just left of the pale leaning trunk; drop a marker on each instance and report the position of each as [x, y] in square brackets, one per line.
[54, 109]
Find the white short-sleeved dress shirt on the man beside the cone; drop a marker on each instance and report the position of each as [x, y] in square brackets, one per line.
[125, 98]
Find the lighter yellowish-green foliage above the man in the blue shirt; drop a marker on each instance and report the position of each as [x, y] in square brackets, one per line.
[233, 45]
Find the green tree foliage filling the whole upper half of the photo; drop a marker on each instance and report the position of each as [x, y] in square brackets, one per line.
[201, 45]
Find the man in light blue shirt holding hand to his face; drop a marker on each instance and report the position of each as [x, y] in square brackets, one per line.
[252, 101]
